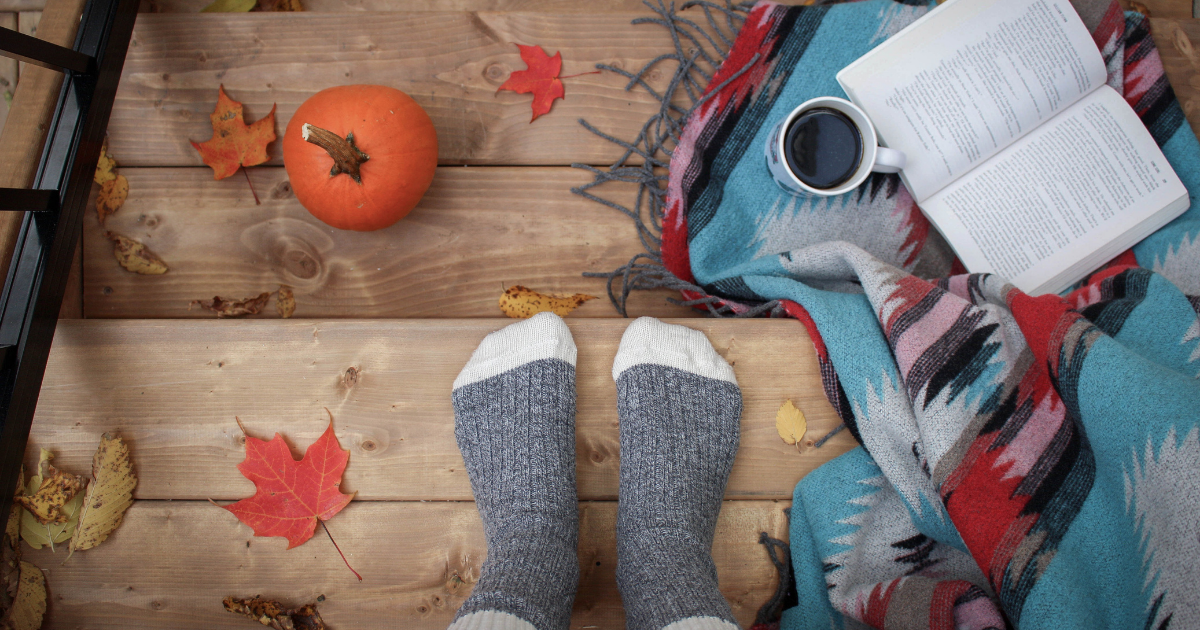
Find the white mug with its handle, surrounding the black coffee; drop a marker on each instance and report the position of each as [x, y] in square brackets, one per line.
[875, 158]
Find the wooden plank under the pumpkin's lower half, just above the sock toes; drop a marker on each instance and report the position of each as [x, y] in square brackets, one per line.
[477, 232]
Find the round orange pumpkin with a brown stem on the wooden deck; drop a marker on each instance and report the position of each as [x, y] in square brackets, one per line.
[361, 157]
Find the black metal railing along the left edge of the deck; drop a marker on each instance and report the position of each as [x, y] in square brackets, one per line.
[50, 232]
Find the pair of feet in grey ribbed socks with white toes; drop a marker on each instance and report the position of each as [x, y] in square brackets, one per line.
[680, 406]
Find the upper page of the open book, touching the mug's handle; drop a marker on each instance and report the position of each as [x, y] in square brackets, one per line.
[971, 79]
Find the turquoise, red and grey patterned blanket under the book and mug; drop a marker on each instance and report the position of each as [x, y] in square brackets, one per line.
[1028, 463]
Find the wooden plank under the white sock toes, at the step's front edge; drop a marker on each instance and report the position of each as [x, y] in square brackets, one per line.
[172, 389]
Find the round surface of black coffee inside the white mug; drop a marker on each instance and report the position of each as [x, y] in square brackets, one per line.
[824, 148]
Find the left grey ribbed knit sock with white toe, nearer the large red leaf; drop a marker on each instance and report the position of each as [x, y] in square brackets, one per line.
[515, 425]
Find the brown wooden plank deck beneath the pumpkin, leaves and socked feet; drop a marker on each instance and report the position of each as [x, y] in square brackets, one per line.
[385, 321]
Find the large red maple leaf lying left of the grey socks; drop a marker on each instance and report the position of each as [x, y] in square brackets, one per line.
[292, 495]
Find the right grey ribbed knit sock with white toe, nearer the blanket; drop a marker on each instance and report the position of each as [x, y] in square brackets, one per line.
[680, 406]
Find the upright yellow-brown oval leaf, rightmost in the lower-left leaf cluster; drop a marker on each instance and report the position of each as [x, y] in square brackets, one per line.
[109, 496]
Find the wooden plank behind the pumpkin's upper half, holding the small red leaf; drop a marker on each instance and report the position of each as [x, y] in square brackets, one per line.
[177, 62]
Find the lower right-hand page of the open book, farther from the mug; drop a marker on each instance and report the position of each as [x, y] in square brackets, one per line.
[1072, 188]
